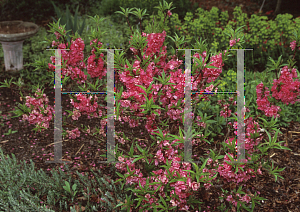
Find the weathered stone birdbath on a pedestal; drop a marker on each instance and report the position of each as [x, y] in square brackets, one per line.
[12, 36]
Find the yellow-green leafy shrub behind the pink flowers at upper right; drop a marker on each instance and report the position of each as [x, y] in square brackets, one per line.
[266, 37]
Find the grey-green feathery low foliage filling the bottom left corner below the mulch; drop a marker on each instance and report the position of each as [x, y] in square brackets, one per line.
[21, 188]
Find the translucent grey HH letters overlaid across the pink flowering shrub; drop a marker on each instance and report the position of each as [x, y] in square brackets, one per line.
[187, 113]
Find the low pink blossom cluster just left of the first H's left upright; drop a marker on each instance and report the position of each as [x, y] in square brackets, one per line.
[36, 115]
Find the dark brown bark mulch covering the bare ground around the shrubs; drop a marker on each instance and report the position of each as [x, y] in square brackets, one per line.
[282, 195]
